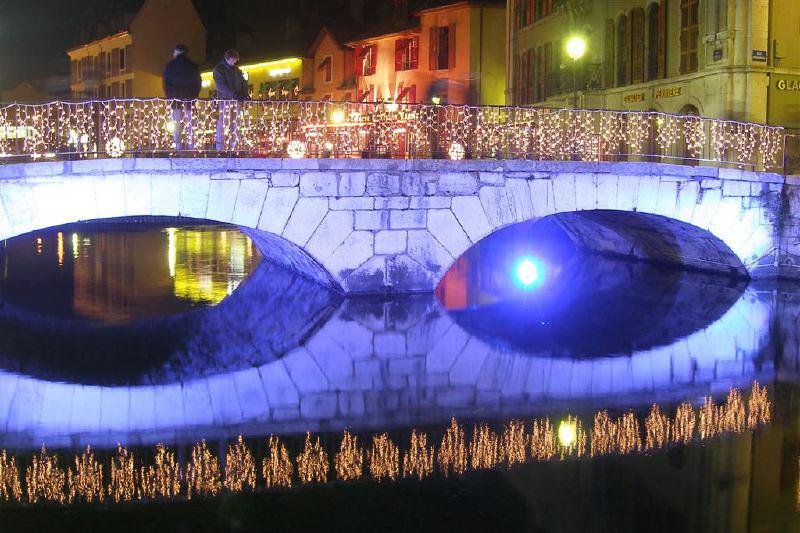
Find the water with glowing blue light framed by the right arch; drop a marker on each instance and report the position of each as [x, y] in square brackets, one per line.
[586, 306]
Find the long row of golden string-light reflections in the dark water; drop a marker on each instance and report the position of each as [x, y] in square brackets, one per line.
[165, 478]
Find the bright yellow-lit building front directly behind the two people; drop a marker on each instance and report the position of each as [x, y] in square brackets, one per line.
[268, 78]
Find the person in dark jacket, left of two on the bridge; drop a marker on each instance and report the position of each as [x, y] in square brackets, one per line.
[181, 83]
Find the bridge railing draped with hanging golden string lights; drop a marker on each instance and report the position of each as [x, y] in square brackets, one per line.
[297, 129]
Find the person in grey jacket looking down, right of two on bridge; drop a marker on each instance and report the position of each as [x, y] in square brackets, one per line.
[231, 89]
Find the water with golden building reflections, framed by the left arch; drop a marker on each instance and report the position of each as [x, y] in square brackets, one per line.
[115, 272]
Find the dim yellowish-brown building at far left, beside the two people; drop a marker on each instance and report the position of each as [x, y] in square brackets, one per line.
[129, 61]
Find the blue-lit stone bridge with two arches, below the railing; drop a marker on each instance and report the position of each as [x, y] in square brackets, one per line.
[382, 225]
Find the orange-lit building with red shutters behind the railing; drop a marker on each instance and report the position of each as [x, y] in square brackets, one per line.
[452, 54]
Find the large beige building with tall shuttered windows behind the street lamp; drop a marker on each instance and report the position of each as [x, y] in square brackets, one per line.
[732, 59]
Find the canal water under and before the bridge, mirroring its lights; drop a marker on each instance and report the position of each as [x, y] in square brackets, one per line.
[539, 389]
